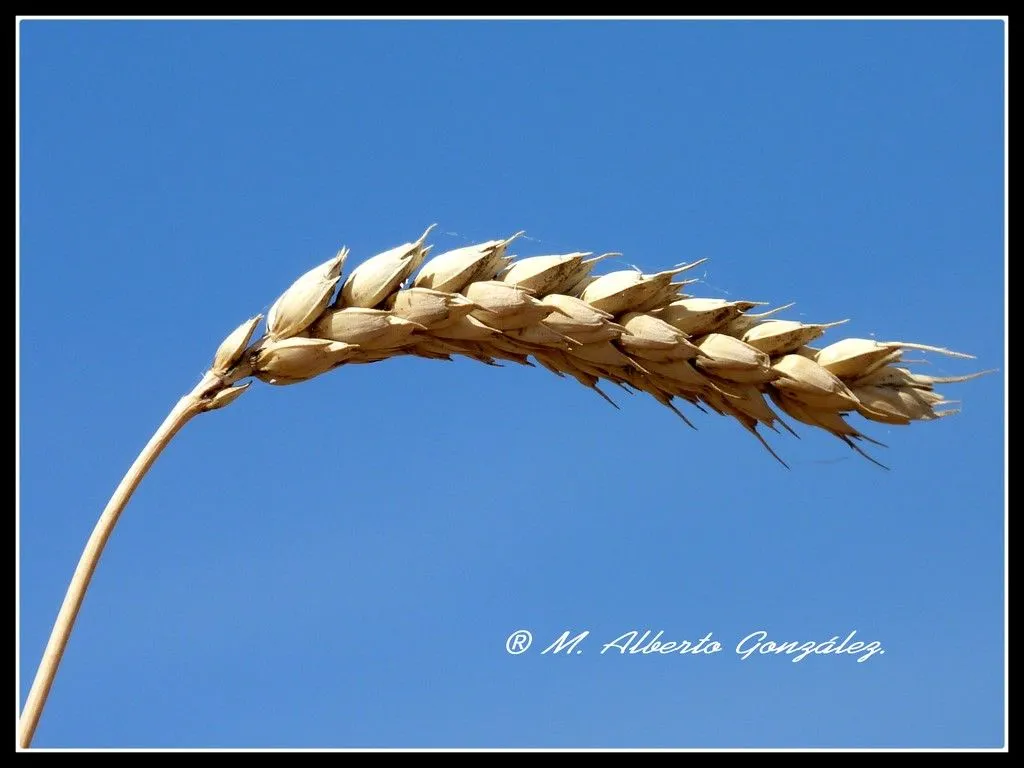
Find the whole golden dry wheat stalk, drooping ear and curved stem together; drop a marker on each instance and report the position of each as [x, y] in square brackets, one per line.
[633, 330]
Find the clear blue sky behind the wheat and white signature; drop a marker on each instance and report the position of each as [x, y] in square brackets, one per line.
[339, 564]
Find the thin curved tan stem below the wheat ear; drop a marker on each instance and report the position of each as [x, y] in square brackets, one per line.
[193, 404]
